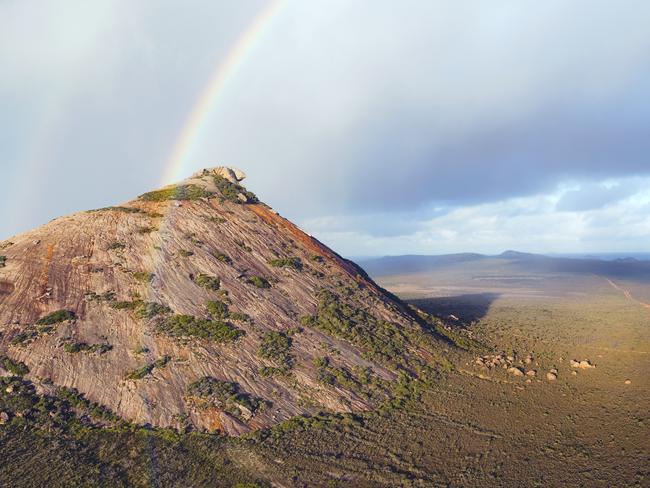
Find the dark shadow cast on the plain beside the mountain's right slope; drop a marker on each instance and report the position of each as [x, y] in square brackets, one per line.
[467, 308]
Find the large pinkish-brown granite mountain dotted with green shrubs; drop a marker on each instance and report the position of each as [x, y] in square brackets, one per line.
[198, 307]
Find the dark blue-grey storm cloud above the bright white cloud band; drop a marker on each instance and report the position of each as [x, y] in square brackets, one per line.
[491, 164]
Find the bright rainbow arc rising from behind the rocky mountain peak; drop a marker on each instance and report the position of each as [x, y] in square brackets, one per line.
[206, 102]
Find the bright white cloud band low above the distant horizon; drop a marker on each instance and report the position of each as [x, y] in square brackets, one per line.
[529, 223]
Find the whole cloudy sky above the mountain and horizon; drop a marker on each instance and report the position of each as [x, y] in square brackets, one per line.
[380, 127]
